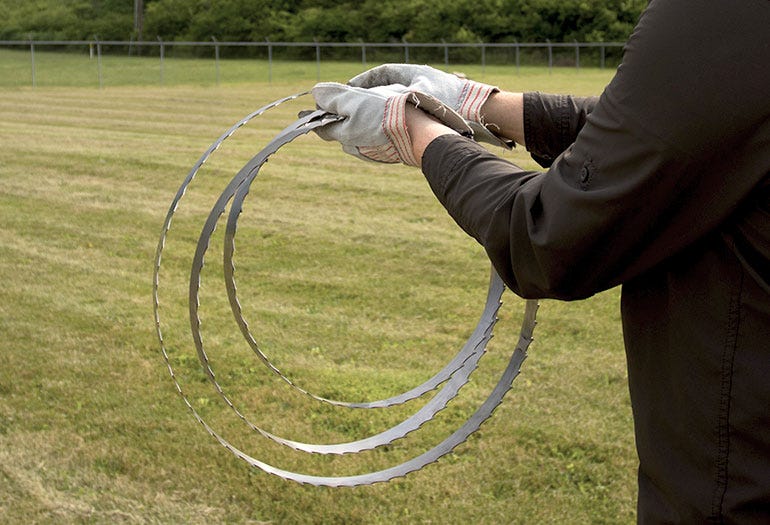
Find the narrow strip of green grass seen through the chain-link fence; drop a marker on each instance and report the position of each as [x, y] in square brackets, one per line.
[55, 69]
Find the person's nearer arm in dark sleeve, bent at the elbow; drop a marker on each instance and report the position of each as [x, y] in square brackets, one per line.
[663, 159]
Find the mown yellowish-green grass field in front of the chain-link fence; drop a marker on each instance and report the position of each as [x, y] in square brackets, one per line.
[356, 283]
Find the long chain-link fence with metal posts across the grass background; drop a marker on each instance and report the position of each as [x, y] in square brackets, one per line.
[88, 62]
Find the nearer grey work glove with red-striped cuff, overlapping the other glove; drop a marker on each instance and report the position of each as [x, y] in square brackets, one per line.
[375, 127]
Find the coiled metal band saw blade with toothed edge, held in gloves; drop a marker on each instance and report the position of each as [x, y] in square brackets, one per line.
[446, 383]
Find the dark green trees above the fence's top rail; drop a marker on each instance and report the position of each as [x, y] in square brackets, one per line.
[492, 21]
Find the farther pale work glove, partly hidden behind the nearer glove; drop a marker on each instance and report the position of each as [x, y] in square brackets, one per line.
[464, 96]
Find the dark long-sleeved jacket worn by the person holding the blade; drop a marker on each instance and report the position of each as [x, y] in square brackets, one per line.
[662, 185]
